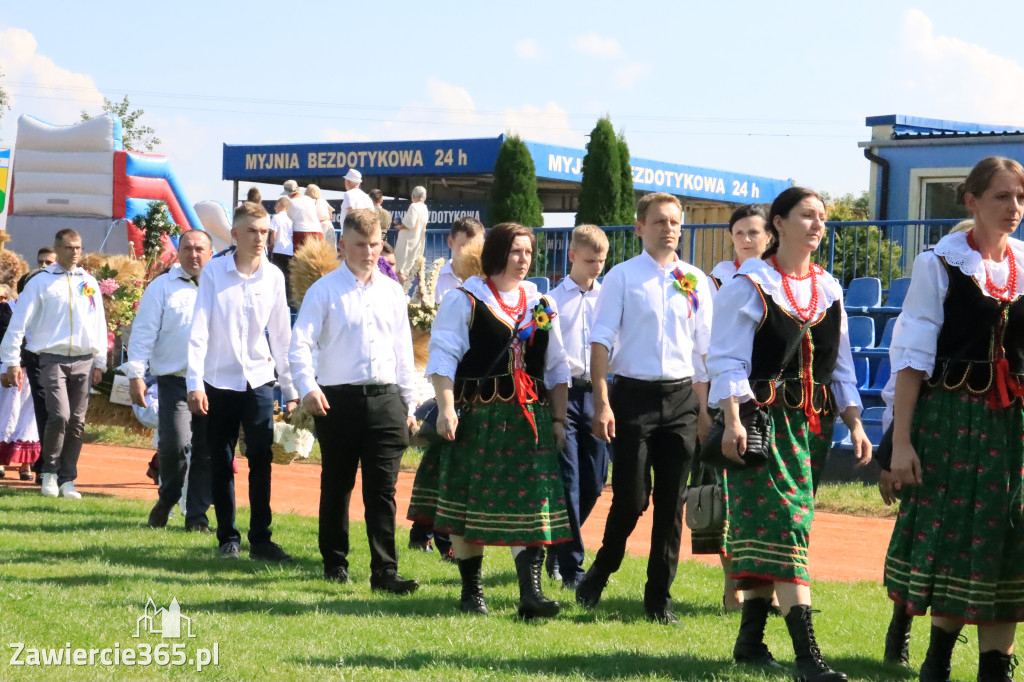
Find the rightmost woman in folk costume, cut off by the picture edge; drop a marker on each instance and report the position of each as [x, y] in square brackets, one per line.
[958, 353]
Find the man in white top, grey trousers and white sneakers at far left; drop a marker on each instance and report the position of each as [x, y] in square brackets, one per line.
[61, 317]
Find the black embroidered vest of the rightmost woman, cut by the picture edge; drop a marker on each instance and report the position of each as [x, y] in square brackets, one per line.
[976, 330]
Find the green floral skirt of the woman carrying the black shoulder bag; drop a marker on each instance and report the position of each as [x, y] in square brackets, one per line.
[771, 508]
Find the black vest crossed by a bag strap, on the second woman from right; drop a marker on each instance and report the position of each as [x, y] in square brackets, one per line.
[777, 331]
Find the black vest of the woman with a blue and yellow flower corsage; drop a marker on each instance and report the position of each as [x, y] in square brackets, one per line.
[485, 374]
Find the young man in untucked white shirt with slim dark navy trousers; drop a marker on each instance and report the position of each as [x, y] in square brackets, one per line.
[231, 375]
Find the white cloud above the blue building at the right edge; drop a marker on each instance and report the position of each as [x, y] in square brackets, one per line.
[954, 79]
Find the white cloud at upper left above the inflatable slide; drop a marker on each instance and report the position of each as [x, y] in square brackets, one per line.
[39, 88]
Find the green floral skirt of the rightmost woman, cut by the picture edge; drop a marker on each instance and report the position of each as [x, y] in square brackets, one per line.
[958, 547]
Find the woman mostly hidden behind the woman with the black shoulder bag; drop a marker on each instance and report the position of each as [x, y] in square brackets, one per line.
[750, 240]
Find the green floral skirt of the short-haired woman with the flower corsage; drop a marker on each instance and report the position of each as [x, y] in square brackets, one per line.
[494, 485]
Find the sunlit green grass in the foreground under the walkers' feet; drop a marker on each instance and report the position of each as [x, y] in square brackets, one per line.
[80, 573]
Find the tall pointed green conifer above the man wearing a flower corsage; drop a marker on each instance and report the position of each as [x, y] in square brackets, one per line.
[601, 188]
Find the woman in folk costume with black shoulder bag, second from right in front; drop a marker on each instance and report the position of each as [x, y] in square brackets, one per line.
[784, 302]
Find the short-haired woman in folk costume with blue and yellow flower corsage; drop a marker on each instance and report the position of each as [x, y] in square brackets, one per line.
[501, 377]
